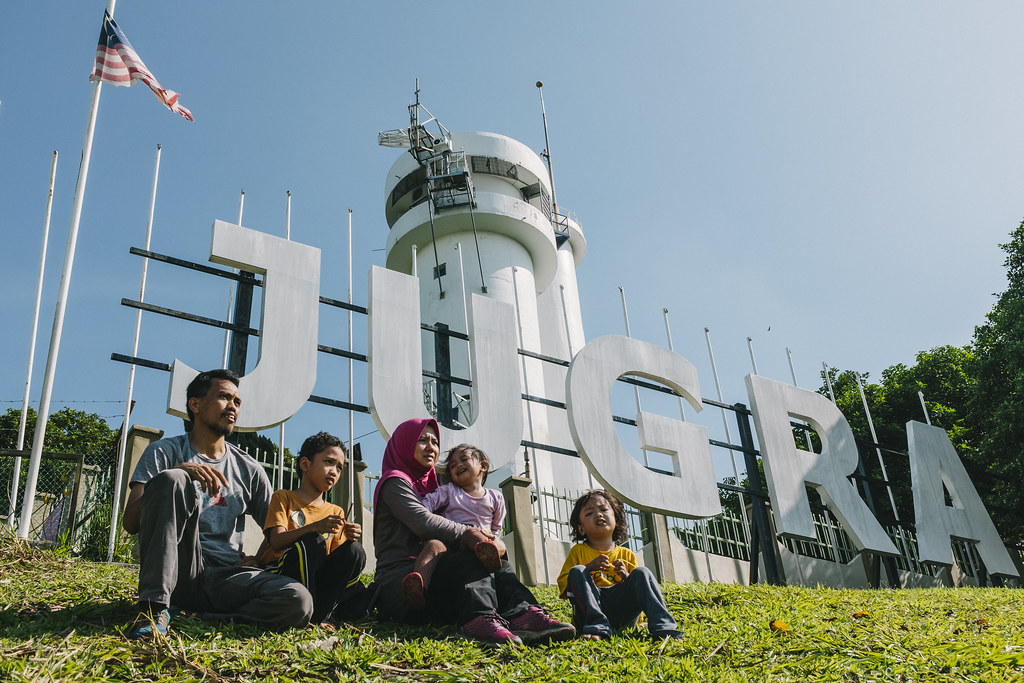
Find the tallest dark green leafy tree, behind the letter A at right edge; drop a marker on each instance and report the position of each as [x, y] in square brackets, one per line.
[997, 405]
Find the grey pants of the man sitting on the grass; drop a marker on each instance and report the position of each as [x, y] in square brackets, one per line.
[172, 569]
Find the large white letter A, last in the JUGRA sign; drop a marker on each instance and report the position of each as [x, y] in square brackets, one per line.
[934, 462]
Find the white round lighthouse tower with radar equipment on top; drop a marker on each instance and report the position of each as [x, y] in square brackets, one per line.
[473, 214]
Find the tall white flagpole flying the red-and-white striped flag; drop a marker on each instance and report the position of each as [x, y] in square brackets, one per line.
[32, 480]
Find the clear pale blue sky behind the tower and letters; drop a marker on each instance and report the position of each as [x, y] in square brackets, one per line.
[830, 178]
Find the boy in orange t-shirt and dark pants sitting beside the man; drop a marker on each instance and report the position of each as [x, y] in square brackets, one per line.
[310, 540]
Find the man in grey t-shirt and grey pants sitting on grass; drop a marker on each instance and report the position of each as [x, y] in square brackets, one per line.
[188, 501]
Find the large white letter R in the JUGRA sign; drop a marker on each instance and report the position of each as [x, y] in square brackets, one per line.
[788, 468]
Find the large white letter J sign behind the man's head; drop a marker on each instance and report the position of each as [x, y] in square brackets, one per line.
[284, 377]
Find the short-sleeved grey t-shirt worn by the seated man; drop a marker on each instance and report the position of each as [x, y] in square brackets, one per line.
[222, 519]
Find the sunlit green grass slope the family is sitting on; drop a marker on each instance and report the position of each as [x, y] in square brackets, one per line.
[62, 619]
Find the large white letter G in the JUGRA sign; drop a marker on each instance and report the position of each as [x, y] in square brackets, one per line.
[588, 392]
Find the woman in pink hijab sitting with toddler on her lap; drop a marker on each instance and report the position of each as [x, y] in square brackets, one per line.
[490, 608]
